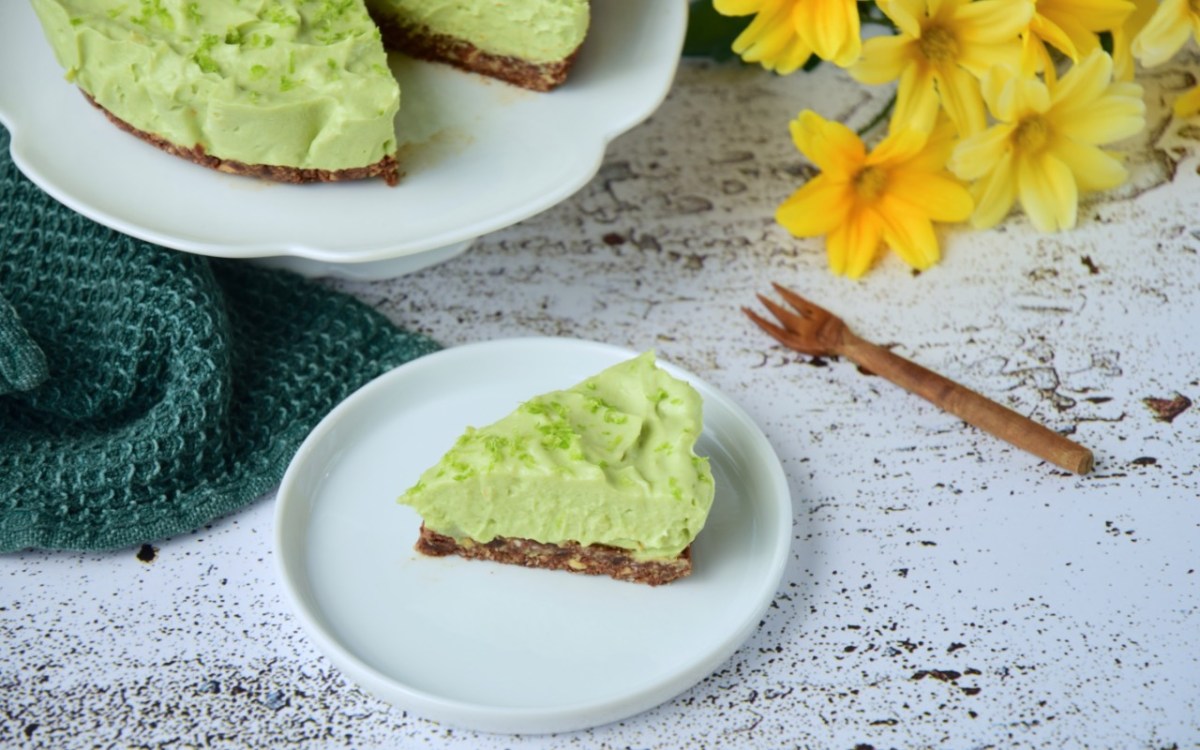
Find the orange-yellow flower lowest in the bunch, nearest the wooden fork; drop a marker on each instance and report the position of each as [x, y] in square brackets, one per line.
[862, 201]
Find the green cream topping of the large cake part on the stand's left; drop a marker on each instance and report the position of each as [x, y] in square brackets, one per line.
[297, 83]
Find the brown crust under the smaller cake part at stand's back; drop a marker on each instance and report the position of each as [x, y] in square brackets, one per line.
[422, 44]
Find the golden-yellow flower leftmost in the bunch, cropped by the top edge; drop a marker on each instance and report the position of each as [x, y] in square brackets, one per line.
[785, 33]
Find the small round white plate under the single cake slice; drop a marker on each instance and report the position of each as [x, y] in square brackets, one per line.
[505, 649]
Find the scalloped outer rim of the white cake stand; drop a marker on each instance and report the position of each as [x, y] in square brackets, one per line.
[23, 151]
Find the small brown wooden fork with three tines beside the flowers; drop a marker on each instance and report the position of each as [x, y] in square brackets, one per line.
[817, 332]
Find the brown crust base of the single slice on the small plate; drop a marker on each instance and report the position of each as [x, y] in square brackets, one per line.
[573, 557]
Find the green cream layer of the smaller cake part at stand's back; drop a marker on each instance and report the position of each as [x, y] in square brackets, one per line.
[535, 31]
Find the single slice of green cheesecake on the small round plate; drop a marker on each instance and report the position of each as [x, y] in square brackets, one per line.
[601, 479]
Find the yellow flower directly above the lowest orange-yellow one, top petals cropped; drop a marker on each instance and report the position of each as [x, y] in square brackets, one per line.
[941, 52]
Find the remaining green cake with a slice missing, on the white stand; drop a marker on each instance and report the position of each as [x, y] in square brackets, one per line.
[296, 91]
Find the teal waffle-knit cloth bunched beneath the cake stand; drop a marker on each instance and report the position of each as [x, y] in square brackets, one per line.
[143, 392]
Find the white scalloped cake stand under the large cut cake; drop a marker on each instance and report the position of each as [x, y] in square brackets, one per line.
[478, 155]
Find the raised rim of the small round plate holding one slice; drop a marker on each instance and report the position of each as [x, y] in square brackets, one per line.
[526, 721]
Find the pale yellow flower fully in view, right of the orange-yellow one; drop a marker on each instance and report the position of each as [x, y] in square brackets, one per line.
[1045, 148]
